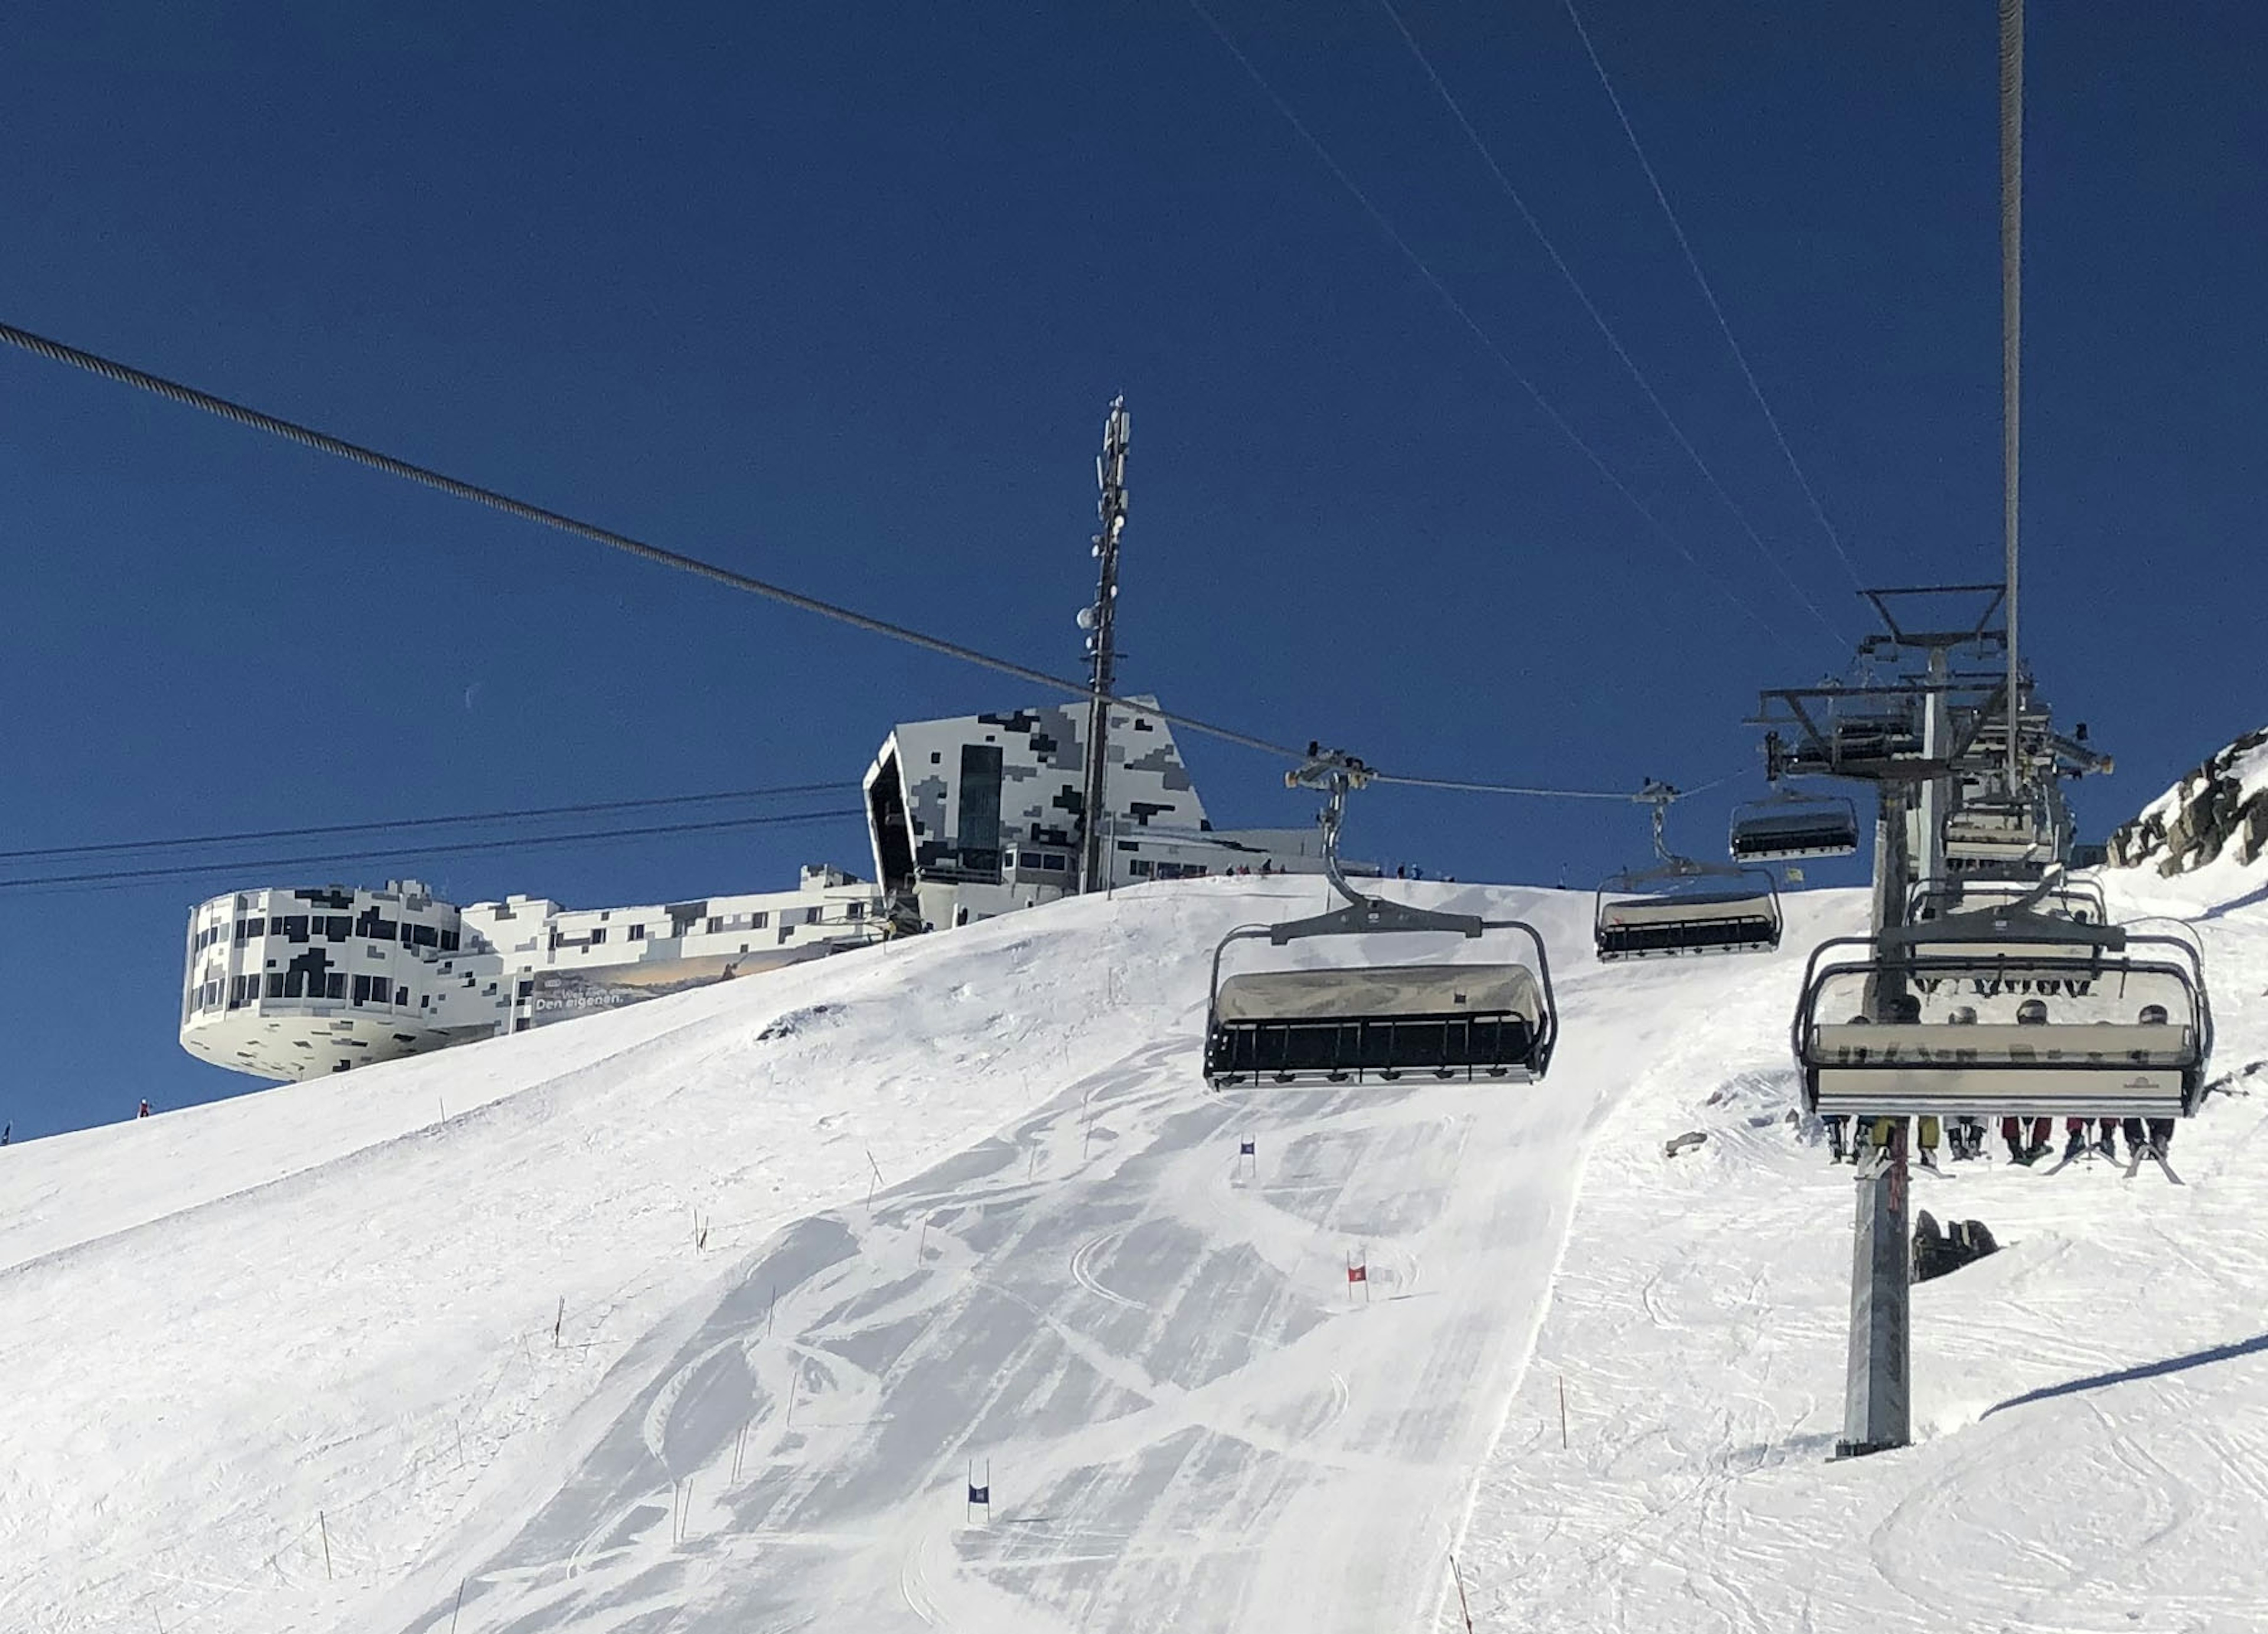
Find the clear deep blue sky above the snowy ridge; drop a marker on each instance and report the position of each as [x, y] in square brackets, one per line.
[838, 296]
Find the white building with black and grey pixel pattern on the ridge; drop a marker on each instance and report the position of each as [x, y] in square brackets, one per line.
[967, 819]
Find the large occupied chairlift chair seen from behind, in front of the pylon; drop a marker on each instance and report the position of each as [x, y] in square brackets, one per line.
[2006, 1012]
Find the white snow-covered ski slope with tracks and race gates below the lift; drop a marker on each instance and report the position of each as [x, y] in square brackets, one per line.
[448, 1325]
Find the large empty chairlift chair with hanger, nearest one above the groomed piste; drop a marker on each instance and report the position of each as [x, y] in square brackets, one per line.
[1357, 1023]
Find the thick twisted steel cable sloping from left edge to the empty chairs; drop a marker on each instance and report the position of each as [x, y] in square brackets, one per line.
[323, 443]
